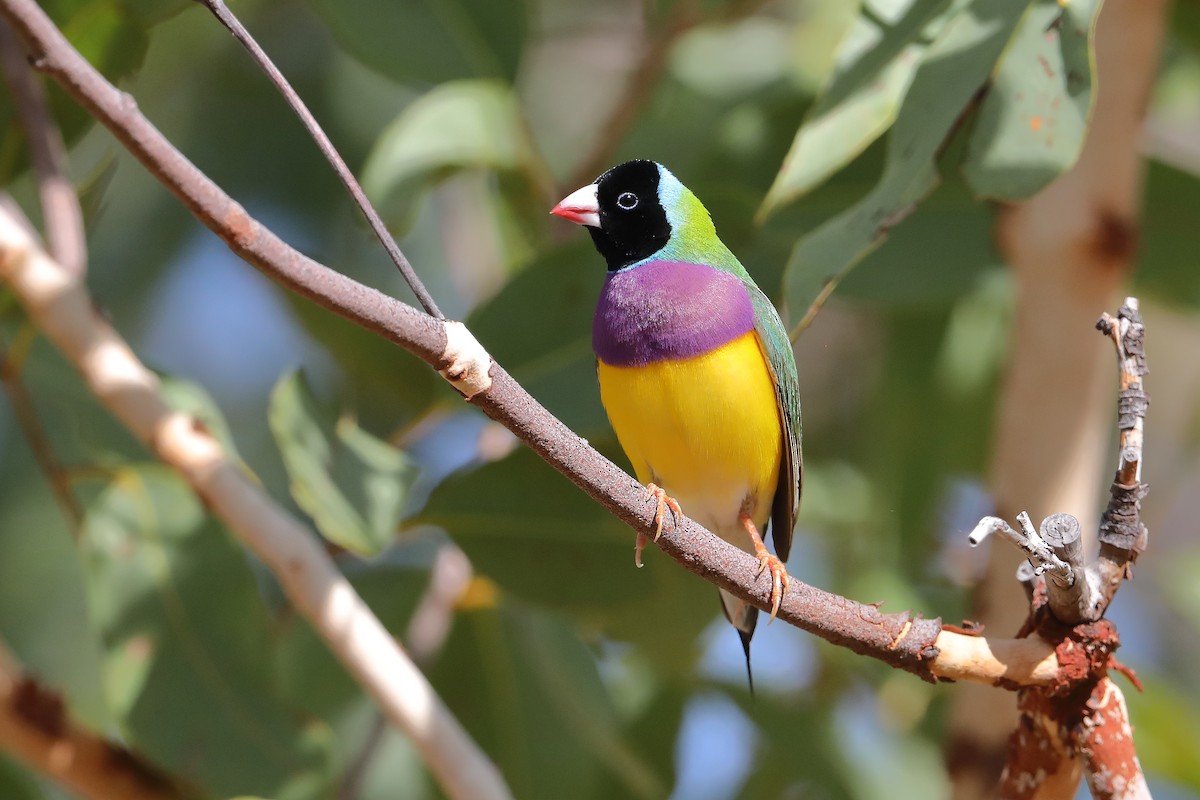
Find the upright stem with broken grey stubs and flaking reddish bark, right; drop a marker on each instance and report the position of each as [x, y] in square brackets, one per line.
[1082, 727]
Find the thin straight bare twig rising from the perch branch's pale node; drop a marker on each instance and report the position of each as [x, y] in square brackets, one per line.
[329, 152]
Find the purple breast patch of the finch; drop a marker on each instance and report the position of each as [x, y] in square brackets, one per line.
[665, 311]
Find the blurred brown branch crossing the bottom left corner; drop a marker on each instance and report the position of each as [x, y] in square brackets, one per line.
[35, 730]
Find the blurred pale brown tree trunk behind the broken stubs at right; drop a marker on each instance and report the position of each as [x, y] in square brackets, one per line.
[1071, 249]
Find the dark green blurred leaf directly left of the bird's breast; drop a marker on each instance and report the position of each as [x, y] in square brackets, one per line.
[539, 327]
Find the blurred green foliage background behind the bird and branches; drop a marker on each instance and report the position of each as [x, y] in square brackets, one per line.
[809, 128]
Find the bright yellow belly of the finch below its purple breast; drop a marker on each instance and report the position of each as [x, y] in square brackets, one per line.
[707, 430]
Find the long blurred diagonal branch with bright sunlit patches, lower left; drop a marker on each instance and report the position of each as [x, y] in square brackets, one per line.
[61, 306]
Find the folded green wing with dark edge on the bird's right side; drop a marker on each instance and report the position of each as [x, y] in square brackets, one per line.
[773, 336]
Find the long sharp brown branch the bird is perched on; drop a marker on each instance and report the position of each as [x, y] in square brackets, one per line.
[902, 640]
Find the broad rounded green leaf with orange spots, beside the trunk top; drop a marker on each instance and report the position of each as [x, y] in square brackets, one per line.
[1033, 123]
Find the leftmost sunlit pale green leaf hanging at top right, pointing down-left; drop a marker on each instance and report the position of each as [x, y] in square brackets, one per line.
[875, 67]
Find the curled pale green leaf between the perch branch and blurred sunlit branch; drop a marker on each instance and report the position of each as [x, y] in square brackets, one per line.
[353, 485]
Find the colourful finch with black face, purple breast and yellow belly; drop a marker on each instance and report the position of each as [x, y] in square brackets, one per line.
[697, 371]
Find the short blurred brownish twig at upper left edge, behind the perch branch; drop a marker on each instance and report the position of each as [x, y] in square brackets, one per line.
[62, 214]
